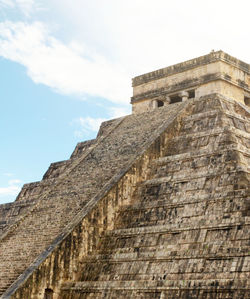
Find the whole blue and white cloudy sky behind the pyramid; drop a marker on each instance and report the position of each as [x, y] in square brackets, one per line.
[66, 66]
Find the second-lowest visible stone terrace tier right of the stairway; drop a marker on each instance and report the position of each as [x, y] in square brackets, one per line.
[148, 269]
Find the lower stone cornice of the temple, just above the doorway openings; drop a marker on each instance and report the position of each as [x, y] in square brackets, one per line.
[188, 84]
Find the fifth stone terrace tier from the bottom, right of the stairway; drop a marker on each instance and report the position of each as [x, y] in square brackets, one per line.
[196, 189]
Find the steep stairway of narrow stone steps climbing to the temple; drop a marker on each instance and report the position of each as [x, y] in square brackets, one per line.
[62, 199]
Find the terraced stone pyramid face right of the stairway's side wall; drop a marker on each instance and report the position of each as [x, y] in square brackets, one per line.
[185, 233]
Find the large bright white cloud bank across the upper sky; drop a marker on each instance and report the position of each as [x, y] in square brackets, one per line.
[133, 37]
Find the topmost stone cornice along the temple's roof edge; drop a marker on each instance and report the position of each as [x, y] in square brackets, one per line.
[190, 64]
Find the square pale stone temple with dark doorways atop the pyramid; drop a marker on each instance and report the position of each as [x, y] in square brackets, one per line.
[216, 72]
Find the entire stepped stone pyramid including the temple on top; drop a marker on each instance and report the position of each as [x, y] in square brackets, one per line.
[156, 207]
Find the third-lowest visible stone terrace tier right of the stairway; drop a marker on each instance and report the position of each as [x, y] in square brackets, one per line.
[167, 244]
